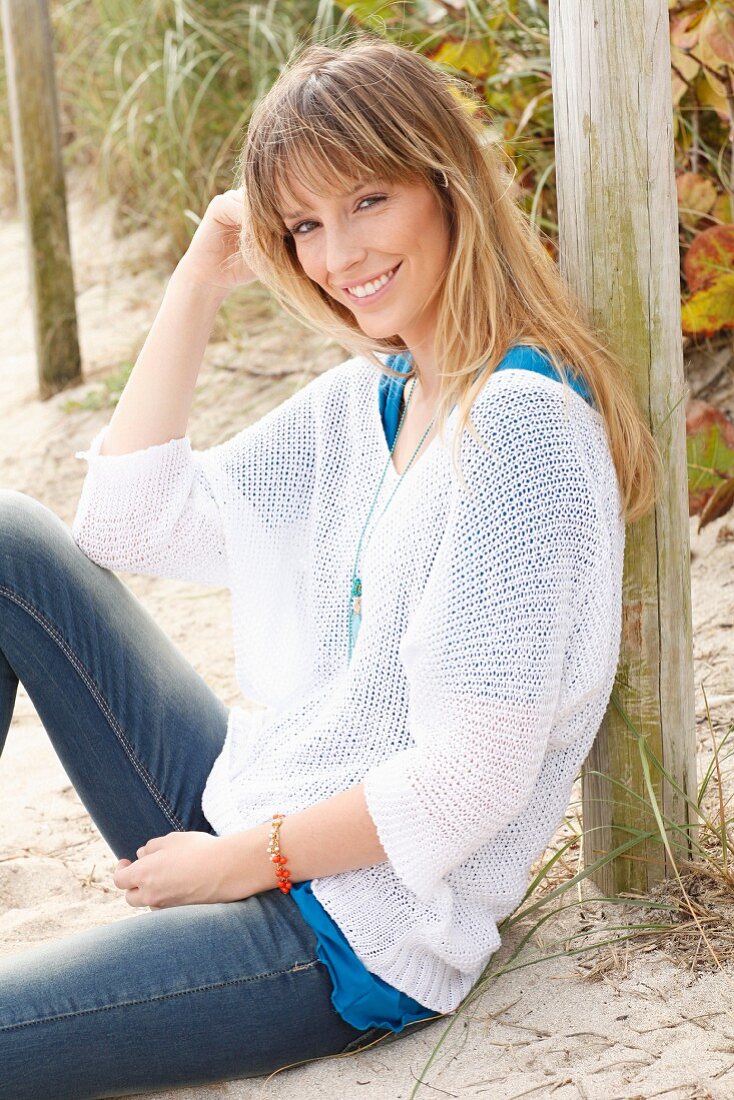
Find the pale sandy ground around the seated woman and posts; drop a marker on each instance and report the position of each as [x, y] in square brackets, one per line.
[636, 1027]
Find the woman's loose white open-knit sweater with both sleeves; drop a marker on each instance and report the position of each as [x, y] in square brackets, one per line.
[491, 621]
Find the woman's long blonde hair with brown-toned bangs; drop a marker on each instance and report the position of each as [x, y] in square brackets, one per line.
[375, 109]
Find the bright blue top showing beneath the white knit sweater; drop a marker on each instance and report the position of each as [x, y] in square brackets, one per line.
[360, 997]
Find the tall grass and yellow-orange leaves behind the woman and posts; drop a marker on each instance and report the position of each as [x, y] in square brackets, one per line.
[155, 98]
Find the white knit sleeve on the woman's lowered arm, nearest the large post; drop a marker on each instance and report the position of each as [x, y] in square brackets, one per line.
[485, 650]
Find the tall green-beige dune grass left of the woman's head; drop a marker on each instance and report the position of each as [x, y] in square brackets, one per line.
[155, 97]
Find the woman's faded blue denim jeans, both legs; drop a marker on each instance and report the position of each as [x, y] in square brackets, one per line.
[174, 997]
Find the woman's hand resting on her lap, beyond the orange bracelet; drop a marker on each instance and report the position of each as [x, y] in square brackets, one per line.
[179, 870]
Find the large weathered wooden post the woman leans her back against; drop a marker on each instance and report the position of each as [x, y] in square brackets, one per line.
[619, 250]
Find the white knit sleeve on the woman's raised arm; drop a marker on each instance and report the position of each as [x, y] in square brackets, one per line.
[171, 511]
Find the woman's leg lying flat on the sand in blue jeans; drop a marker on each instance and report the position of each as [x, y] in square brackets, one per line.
[184, 996]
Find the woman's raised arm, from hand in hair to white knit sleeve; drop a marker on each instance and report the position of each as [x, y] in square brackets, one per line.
[150, 504]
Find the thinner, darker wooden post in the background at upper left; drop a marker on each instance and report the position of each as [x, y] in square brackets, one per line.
[42, 192]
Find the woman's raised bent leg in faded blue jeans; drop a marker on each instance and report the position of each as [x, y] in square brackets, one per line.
[134, 724]
